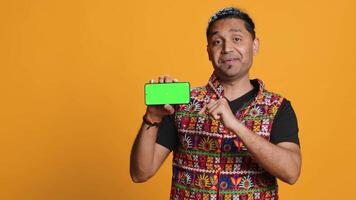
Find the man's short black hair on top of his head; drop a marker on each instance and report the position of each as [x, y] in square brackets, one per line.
[232, 12]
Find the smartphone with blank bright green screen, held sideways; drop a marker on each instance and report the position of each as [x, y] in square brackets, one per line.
[167, 93]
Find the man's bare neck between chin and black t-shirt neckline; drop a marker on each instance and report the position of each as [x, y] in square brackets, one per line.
[234, 89]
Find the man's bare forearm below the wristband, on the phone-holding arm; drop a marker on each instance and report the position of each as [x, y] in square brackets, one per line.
[142, 153]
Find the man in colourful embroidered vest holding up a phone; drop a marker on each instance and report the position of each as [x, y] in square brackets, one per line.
[234, 138]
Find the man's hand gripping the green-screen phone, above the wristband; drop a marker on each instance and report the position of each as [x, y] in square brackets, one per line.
[156, 113]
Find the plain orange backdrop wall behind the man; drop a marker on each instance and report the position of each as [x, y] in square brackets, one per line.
[72, 76]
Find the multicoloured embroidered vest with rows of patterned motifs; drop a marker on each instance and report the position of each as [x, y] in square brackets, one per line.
[210, 162]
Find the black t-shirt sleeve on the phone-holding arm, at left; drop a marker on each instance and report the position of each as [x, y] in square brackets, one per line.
[167, 133]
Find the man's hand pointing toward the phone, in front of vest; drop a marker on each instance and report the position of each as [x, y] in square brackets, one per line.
[220, 109]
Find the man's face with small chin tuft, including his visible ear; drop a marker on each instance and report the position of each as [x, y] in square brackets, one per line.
[231, 48]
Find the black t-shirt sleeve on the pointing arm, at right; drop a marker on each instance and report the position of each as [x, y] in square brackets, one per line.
[285, 125]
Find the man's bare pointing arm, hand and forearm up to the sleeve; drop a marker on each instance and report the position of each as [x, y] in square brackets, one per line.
[281, 160]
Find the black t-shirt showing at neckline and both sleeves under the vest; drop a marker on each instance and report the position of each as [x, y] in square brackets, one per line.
[284, 127]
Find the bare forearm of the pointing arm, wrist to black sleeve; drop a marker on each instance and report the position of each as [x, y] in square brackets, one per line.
[278, 161]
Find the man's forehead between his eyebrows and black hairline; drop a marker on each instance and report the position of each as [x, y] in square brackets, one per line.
[228, 24]
